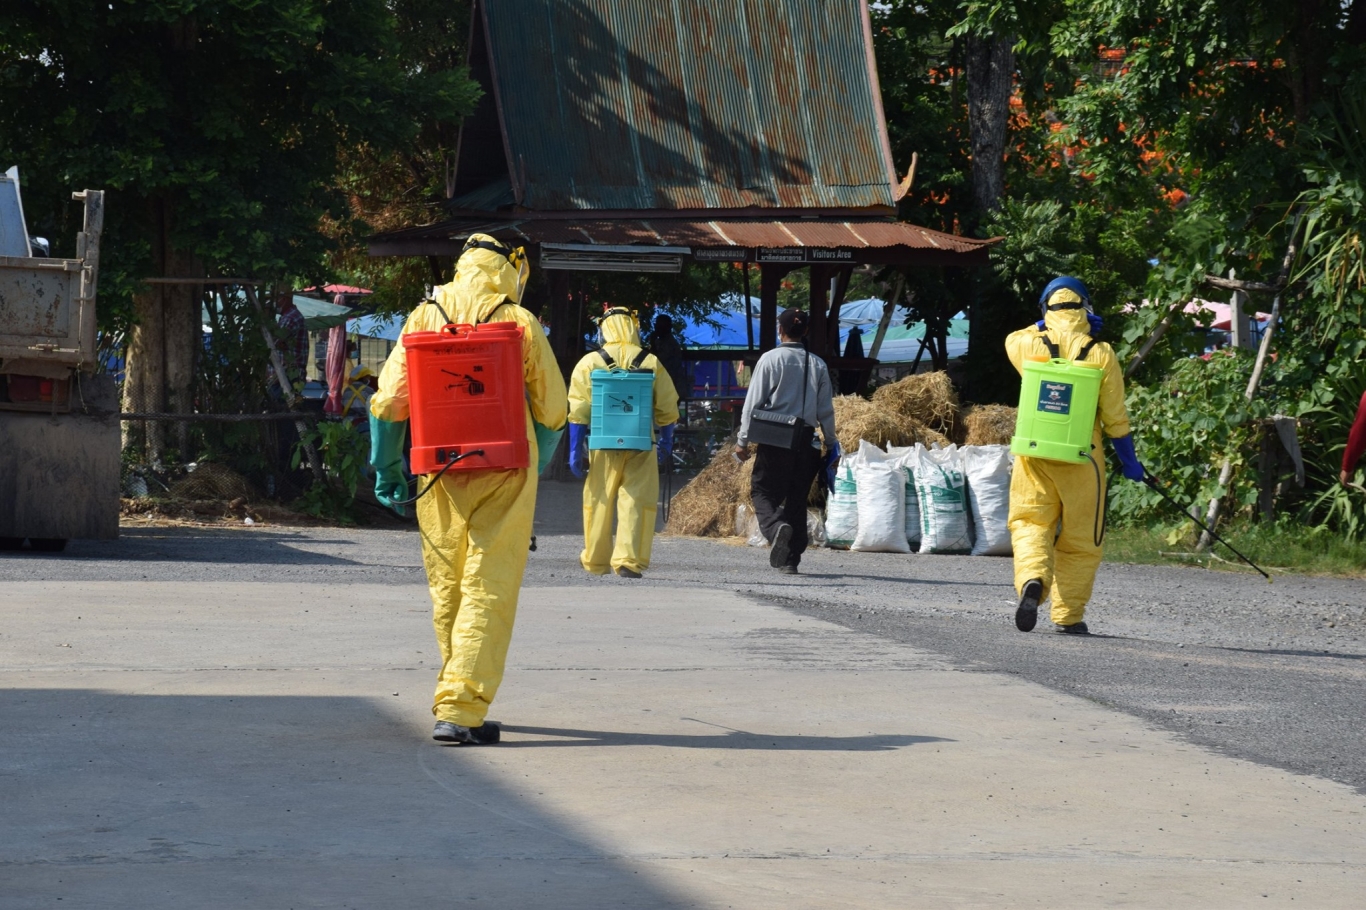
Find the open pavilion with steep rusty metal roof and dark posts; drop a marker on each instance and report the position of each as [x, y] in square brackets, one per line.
[640, 135]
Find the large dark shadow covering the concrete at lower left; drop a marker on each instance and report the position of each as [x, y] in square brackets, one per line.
[159, 803]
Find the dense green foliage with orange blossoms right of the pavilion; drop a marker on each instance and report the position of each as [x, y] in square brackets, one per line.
[1152, 144]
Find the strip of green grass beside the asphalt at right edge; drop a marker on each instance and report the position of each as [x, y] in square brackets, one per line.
[1278, 549]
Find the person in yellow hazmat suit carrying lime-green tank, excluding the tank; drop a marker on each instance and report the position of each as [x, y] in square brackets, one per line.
[1057, 499]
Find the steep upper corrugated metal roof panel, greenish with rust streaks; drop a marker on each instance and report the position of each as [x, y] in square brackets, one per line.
[675, 105]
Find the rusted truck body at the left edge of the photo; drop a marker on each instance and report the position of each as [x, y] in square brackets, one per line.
[59, 417]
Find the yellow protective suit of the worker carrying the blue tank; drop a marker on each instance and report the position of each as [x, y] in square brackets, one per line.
[621, 484]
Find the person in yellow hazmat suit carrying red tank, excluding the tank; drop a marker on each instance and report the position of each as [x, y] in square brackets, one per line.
[476, 525]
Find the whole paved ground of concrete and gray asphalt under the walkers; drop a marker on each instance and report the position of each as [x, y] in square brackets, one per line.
[240, 719]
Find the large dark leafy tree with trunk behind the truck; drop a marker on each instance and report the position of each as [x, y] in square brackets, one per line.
[218, 128]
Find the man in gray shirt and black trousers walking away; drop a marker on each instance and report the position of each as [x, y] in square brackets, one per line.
[787, 381]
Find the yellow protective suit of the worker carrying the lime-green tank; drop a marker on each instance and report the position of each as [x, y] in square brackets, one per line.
[1057, 499]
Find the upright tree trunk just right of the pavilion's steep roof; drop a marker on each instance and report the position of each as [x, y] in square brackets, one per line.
[991, 68]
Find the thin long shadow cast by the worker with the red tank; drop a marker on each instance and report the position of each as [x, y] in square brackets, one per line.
[731, 740]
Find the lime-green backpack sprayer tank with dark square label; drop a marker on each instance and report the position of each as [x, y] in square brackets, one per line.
[1058, 408]
